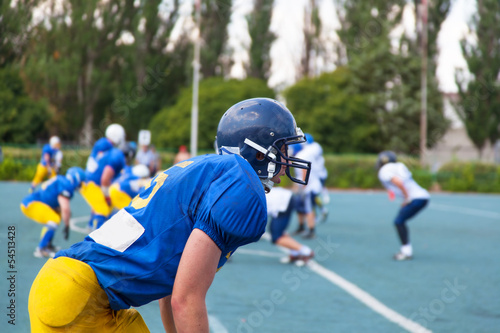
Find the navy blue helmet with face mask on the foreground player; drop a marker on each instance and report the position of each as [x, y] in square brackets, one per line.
[262, 125]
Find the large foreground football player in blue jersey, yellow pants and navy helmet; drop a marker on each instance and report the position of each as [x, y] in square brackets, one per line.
[170, 241]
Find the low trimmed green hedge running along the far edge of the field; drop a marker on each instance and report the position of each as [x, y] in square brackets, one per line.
[344, 171]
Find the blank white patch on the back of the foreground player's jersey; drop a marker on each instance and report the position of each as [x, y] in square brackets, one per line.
[119, 232]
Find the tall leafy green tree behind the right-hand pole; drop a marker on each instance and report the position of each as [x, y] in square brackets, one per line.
[390, 76]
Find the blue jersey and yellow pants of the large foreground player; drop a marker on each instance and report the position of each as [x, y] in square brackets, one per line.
[133, 258]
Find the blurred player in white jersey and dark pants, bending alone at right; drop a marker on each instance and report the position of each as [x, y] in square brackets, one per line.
[396, 178]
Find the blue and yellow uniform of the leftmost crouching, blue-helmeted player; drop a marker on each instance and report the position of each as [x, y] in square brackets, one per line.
[42, 206]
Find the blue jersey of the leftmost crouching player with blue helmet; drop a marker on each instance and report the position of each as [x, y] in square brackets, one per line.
[50, 190]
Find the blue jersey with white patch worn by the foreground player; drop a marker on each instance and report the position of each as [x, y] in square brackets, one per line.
[135, 254]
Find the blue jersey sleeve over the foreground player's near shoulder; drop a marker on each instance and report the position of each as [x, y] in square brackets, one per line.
[235, 215]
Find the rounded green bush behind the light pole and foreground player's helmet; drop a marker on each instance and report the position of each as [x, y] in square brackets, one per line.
[171, 127]
